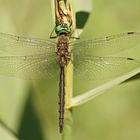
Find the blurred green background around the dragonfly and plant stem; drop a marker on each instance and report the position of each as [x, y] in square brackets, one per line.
[30, 108]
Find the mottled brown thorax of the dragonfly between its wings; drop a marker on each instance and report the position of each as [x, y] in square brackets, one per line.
[63, 54]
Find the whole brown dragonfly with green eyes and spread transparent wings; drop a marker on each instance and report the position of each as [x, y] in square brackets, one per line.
[40, 58]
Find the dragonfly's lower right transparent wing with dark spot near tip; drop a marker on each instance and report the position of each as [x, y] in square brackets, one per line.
[100, 68]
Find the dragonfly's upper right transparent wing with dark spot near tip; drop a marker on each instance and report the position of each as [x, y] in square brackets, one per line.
[107, 45]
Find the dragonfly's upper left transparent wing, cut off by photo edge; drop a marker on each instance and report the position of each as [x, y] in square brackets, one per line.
[23, 46]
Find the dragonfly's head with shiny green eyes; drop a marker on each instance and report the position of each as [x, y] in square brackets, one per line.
[63, 29]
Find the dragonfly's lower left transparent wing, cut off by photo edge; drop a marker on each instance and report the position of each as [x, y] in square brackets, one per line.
[29, 67]
